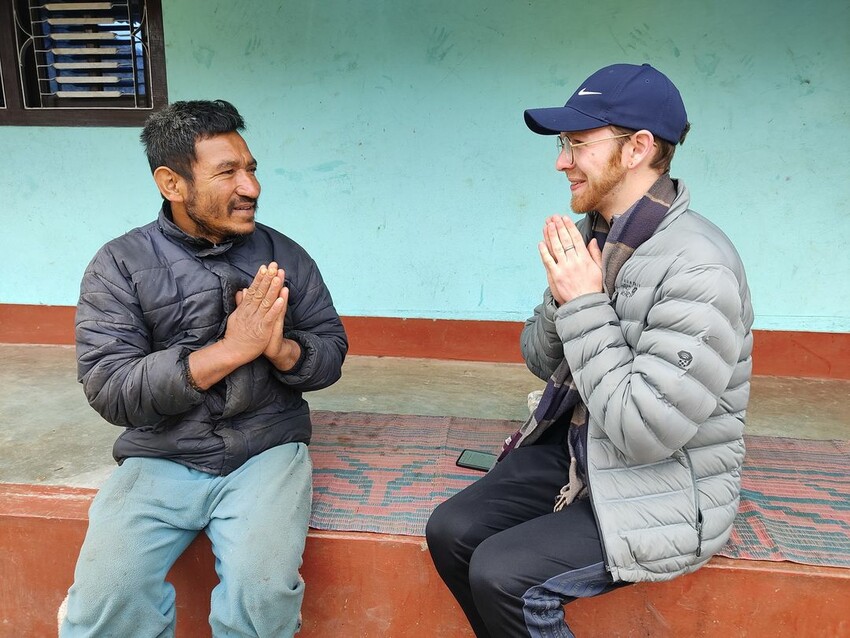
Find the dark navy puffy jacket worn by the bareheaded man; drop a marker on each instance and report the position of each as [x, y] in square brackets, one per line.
[155, 294]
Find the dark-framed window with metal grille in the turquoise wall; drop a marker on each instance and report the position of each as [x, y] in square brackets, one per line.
[73, 63]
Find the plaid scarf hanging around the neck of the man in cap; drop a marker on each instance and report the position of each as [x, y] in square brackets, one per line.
[561, 398]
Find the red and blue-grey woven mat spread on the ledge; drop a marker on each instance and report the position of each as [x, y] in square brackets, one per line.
[386, 473]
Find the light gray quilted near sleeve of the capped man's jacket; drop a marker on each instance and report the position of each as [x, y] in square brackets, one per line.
[650, 400]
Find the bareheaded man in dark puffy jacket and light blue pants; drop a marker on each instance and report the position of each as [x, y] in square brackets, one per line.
[197, 334]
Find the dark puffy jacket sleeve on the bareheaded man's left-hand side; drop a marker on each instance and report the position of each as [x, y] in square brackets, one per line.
[123, 380]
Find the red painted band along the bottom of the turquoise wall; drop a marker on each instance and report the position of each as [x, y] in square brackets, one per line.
[777, 353]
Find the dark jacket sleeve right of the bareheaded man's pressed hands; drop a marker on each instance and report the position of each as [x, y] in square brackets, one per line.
[313, 322]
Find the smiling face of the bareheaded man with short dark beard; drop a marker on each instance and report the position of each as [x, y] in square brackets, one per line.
[221, 200]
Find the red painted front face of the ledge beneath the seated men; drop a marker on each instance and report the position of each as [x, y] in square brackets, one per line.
[375, 585]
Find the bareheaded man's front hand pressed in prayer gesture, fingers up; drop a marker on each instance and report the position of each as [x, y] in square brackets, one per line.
[257, 322]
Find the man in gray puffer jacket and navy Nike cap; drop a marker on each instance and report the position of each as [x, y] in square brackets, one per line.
[629, 469]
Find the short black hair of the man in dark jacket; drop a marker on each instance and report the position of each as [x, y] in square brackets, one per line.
[170, 135]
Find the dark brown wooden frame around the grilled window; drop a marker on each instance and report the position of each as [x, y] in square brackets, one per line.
[16, 114]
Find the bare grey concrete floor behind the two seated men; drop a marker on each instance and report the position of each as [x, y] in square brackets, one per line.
[49, 434]
